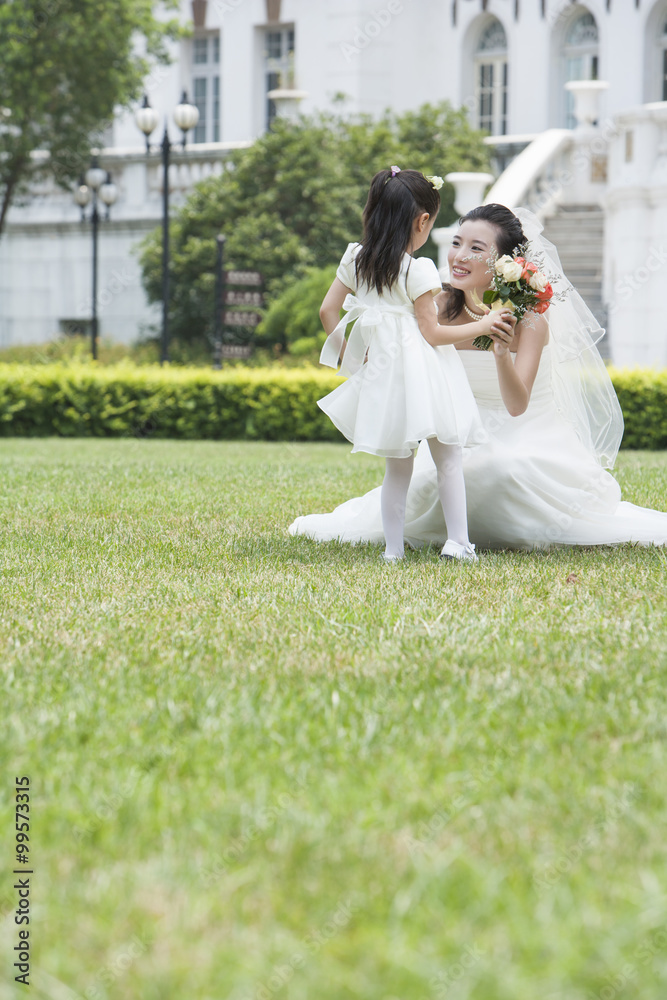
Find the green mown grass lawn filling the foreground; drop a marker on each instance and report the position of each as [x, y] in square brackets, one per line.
[262, 768]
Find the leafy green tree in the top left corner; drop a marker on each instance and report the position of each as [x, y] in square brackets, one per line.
[65, 66]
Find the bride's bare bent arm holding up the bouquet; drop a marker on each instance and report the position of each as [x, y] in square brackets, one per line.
[516, 378]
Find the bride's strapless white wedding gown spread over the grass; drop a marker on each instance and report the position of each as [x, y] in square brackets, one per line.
[533, 485]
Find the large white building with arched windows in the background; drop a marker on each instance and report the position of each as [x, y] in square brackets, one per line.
[601, 189]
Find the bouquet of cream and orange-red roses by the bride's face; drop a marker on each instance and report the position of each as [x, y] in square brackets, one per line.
[518, 285]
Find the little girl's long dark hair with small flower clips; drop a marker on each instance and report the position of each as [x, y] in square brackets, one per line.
[395, 199]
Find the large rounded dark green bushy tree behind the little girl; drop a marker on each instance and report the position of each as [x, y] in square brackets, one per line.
[293, 200]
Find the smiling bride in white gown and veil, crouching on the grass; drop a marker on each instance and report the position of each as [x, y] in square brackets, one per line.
[549, 409]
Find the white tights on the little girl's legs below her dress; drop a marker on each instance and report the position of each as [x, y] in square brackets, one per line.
[448, 460]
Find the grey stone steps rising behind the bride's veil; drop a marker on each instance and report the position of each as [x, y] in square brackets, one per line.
[577, 232]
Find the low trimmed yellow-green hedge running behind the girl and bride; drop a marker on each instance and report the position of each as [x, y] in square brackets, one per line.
[242, 403]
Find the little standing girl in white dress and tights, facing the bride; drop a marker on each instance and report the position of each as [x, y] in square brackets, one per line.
[406, 382]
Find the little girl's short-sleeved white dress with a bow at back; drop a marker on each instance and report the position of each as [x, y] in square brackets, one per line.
[407, 390]
